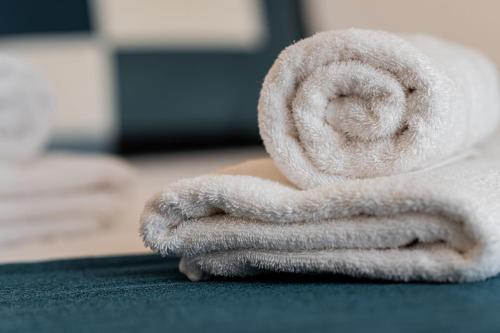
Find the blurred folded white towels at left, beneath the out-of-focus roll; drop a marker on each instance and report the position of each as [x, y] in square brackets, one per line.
[60, 194]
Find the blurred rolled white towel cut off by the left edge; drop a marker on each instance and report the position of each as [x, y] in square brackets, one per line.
[26, 110]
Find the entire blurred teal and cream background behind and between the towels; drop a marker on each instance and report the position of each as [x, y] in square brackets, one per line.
[172, 85]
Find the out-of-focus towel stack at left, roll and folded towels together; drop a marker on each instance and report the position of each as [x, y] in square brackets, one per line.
[47, 195]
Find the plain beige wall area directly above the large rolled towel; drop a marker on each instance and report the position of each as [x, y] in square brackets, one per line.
[471, 22]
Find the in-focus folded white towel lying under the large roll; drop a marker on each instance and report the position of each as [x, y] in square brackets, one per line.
[437, 225]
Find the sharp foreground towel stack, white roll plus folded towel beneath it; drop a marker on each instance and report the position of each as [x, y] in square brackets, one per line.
[377, 169]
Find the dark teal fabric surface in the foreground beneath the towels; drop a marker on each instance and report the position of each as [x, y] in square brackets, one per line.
[146, 293]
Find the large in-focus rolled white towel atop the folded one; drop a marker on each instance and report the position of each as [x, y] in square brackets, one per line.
[361, 103]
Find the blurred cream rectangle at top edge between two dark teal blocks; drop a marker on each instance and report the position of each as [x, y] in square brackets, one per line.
[193, 23]
